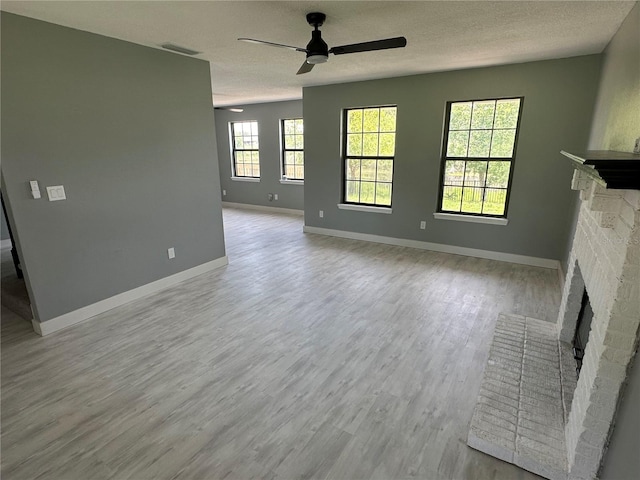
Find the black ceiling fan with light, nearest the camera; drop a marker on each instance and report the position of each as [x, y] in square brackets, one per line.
[317, 50]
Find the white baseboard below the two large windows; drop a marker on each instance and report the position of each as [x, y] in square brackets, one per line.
[438, 247]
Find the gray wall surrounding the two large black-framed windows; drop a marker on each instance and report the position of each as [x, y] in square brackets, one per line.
[558, 104]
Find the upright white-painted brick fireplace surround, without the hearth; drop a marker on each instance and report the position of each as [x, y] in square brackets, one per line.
[605, 259]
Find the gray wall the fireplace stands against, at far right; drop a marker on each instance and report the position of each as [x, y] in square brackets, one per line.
[616, 125]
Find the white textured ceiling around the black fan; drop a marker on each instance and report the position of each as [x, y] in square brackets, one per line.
[441, 35]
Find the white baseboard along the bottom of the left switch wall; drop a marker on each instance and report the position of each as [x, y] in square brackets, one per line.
[90, 311]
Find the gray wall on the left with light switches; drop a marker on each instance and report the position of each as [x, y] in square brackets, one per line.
[129, 131]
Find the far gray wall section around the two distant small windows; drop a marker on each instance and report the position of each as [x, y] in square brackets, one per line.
[268, 116]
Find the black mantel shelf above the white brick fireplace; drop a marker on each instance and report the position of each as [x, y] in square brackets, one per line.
[611, 169]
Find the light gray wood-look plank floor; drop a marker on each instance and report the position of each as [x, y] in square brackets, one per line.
[306, 357]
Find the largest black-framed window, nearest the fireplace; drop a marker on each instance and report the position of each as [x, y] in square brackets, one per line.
[478, 152]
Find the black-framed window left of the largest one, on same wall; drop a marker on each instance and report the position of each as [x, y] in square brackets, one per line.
[368, 151]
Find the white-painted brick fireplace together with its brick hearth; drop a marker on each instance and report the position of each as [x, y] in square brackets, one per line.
[532, 408]
